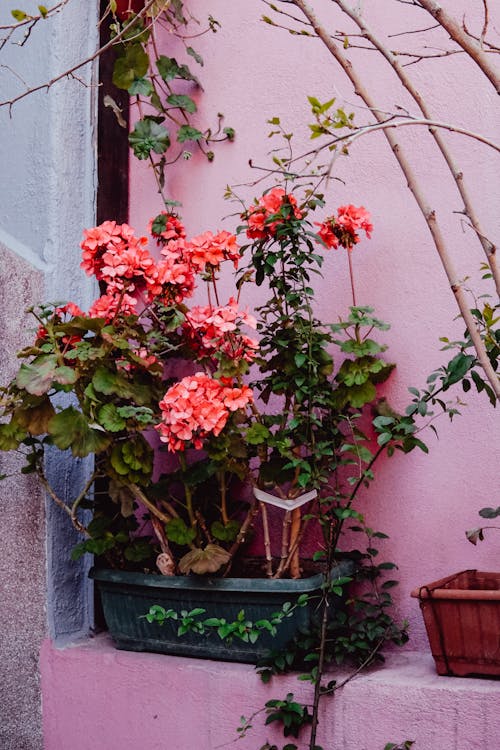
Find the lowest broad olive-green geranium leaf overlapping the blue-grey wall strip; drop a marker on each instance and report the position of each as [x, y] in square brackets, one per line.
[70, 429]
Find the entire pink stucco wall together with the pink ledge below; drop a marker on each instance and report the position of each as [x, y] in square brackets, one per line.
[95, 696]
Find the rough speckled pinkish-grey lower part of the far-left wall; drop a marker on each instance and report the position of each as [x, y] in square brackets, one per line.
[23, 610]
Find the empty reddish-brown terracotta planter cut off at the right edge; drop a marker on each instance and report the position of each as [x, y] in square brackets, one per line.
[462, 618]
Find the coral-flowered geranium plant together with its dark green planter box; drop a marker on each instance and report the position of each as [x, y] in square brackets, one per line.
[189, 458]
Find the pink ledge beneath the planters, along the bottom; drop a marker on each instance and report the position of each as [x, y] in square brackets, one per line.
[98, 698]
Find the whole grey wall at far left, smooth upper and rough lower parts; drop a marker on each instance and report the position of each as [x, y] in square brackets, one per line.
[47, 195]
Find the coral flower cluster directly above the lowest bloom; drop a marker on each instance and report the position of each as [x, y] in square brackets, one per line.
[210, 330]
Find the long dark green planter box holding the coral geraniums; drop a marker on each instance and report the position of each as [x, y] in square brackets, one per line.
[126, 597]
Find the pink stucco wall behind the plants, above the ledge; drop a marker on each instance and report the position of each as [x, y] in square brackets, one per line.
[253, 72]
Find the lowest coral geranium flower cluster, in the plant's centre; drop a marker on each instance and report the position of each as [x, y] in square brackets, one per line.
[196, 407]
